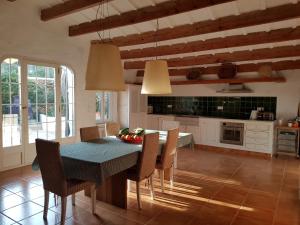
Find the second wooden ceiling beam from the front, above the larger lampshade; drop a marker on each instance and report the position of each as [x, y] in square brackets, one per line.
[160, 10]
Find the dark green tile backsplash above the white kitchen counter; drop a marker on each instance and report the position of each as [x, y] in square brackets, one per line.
[233, 107]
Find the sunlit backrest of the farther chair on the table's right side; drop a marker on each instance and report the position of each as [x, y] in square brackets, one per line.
[169, 150]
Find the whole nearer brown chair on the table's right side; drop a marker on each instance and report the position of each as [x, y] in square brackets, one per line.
[146, 164]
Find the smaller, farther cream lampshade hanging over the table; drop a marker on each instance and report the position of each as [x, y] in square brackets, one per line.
[156, 78]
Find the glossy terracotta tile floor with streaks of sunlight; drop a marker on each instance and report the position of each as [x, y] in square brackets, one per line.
[209, 189]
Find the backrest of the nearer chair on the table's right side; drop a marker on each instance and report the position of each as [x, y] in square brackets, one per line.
[147, 158]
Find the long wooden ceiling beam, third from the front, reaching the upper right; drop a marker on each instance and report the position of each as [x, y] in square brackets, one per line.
[254, 18]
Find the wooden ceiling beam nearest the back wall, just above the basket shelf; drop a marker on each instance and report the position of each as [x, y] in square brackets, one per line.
[242, 68]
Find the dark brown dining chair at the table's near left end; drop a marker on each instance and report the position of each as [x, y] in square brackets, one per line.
[54, 179]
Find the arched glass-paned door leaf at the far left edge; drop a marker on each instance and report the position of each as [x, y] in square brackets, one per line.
[11, 113]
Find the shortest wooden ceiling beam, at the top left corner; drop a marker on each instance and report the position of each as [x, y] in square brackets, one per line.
[67, 8]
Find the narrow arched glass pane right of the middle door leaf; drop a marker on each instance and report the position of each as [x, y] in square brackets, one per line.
[67, 102]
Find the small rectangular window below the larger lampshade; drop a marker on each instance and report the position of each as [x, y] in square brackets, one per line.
[103, 106]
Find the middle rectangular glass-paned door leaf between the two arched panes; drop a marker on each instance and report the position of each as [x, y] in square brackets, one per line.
[42, 119]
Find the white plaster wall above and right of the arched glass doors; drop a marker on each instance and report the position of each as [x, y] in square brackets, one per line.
[23, 34]
